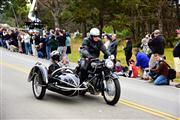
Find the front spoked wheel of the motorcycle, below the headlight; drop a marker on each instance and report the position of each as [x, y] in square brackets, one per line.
[112, 92]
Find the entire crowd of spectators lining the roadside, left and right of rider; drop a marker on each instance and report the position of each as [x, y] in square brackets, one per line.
[42, 43]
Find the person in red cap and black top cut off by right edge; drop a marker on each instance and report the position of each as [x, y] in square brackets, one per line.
[176, 54]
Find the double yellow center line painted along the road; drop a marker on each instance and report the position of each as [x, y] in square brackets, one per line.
[122, 101]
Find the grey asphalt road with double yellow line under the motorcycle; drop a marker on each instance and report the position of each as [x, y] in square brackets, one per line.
[139, 99]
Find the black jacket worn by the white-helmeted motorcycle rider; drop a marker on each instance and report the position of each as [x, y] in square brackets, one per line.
[92, 49]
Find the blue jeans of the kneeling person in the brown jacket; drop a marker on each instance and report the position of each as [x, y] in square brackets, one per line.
[161, 80]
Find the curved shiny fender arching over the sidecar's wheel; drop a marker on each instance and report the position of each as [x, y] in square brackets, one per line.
[38, 67]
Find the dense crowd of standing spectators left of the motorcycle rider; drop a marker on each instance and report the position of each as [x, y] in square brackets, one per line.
[37, 43]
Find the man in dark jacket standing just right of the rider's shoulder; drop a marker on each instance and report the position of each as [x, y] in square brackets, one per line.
[113, 47]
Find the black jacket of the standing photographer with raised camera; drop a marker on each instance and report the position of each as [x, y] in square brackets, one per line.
[157, 45]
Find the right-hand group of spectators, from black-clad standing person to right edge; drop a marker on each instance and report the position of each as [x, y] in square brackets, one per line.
[151, 61]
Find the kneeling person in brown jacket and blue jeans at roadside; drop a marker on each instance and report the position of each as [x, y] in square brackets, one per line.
[160, 71]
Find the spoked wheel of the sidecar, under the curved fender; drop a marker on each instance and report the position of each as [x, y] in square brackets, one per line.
[38, 86]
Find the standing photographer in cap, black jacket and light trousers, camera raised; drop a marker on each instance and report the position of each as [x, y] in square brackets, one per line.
[157, 45]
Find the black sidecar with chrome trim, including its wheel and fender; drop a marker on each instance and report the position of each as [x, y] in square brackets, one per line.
[62, 80]
